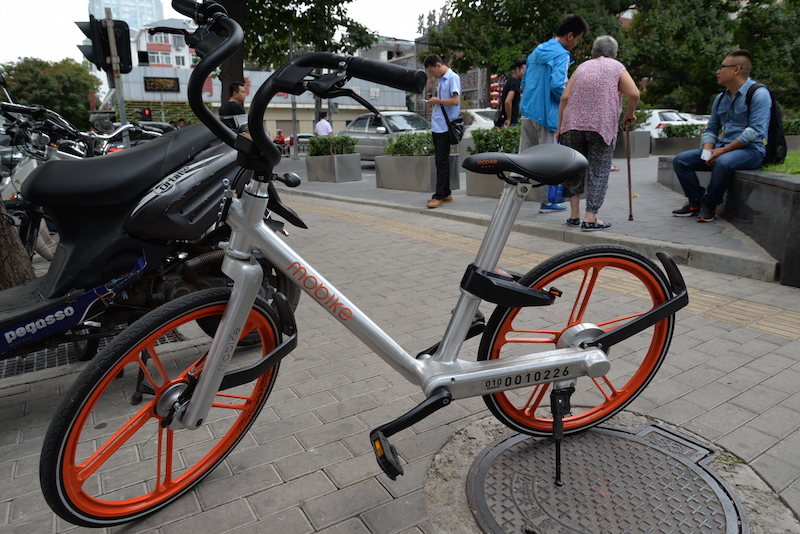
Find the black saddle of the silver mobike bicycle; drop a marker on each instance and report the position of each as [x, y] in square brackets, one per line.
[549, 164]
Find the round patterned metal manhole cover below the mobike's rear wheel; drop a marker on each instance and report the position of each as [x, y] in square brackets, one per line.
[615, 481]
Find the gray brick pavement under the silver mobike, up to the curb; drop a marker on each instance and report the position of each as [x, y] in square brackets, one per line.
[732, 377]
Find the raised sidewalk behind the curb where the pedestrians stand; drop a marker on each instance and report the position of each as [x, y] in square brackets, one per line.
[716, 246]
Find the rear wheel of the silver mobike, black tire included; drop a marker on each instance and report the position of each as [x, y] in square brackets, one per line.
[603, 286]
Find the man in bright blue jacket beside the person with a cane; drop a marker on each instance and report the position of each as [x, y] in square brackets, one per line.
[542, 85]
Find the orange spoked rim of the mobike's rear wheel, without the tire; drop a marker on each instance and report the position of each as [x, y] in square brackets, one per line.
[596, 289]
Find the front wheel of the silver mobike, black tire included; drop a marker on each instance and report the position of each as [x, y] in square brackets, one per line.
[109, 456]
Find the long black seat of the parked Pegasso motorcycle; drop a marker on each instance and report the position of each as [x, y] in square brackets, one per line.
[115, 178]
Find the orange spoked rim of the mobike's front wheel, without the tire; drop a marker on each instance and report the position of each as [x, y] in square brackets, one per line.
[120, 460]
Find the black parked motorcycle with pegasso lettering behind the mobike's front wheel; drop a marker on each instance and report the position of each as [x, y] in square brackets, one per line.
[137, 228]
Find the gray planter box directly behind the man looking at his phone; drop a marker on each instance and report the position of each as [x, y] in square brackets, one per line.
[412, 173]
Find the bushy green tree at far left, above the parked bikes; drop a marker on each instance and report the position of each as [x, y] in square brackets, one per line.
[61, 86]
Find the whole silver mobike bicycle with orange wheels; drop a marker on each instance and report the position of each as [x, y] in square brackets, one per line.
[591, 326]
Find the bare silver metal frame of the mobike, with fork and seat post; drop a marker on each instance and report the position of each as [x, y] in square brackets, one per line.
[441, 369]
